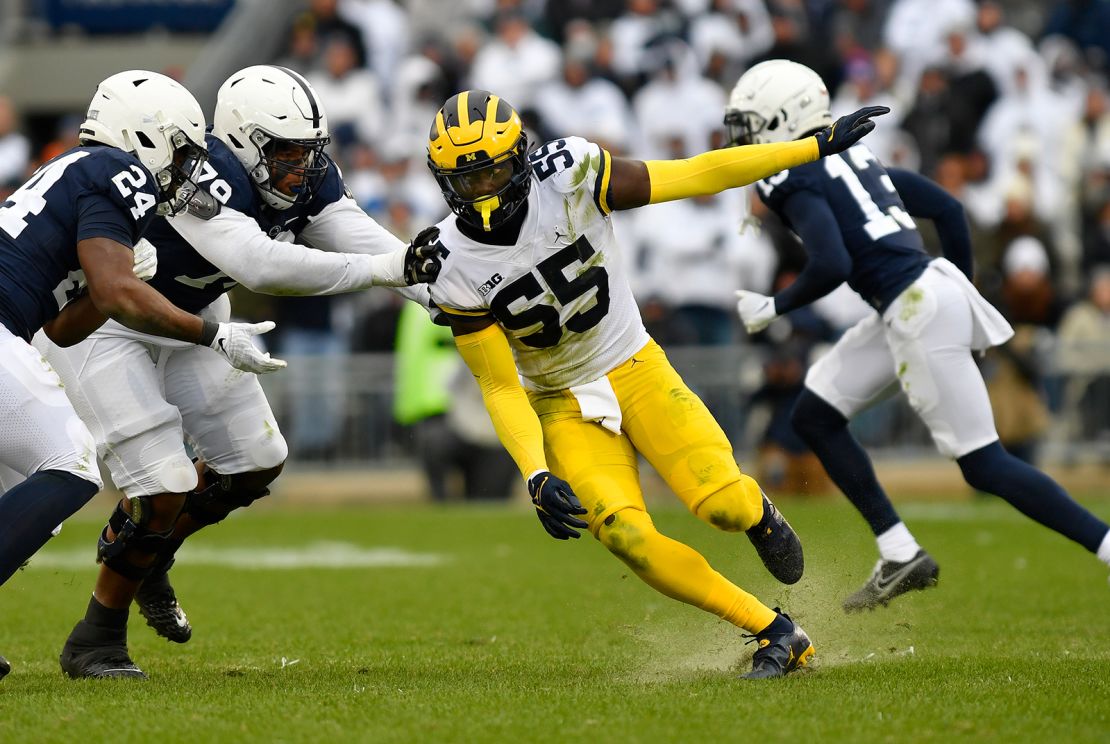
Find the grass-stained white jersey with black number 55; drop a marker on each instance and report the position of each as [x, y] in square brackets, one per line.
[560, 293]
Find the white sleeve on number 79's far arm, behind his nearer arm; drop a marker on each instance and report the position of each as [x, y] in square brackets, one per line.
[342, 226]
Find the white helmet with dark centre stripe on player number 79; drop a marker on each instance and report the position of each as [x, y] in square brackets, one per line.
[275, 123]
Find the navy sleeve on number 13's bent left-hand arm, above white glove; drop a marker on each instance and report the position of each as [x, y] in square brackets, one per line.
[829, 263]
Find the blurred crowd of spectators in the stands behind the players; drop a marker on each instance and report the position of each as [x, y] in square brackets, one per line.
[1004, 103]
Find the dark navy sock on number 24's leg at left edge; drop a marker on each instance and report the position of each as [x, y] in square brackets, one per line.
[31, 512]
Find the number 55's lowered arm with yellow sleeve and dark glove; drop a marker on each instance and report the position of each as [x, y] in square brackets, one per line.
[486, 350]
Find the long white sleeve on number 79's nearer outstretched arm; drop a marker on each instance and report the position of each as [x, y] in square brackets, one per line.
[235, 244]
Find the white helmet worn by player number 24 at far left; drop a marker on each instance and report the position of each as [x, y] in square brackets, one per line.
[158, 119]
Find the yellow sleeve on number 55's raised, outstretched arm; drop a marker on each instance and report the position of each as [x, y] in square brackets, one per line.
[718, 170]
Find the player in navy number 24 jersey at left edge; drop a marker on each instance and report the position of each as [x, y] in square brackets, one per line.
[66, 246]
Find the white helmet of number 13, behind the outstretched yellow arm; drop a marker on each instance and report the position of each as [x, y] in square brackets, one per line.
[776, 102]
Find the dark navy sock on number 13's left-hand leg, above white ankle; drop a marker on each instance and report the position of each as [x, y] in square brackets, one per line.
[826, 431]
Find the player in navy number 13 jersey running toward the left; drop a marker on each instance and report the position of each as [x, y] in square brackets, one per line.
[854, 219]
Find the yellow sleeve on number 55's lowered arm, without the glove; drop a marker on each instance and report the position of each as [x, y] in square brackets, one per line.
[490, 359]
